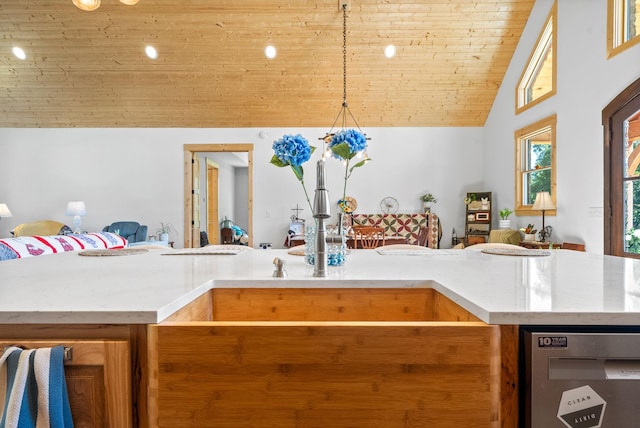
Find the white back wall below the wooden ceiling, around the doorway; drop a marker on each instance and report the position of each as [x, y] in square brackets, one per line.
[137, 174]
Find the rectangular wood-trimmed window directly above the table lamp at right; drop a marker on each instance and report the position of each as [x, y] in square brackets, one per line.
[535, 164]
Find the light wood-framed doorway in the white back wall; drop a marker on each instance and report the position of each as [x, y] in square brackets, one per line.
[193, 193]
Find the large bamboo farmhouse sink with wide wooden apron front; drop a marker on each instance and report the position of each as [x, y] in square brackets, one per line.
[328, 357]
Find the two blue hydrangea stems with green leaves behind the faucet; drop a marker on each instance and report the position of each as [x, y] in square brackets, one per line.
[294, 150]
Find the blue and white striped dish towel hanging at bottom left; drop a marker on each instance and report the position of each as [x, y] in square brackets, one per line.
[33, 389]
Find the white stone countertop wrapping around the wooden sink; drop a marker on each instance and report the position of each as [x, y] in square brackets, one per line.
[566, 287]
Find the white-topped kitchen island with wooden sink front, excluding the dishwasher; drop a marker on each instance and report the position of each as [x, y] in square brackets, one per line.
[215, 338]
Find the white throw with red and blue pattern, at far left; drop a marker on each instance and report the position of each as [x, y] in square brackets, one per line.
[27, 246]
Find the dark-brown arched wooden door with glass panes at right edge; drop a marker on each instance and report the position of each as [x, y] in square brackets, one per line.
[621, 120]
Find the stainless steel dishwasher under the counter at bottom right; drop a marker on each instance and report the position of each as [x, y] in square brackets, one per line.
[580, 378]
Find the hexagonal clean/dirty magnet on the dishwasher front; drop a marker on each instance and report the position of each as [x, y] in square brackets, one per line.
[581, 408]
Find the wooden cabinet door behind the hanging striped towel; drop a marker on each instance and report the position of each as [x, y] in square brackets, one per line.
[98, 380]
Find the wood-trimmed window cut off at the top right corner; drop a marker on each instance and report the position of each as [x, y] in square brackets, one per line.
[623, 25]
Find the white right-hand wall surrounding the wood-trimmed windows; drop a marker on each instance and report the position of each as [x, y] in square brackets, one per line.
[586, 83]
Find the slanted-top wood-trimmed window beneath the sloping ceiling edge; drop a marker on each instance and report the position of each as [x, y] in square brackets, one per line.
[538, 80]
